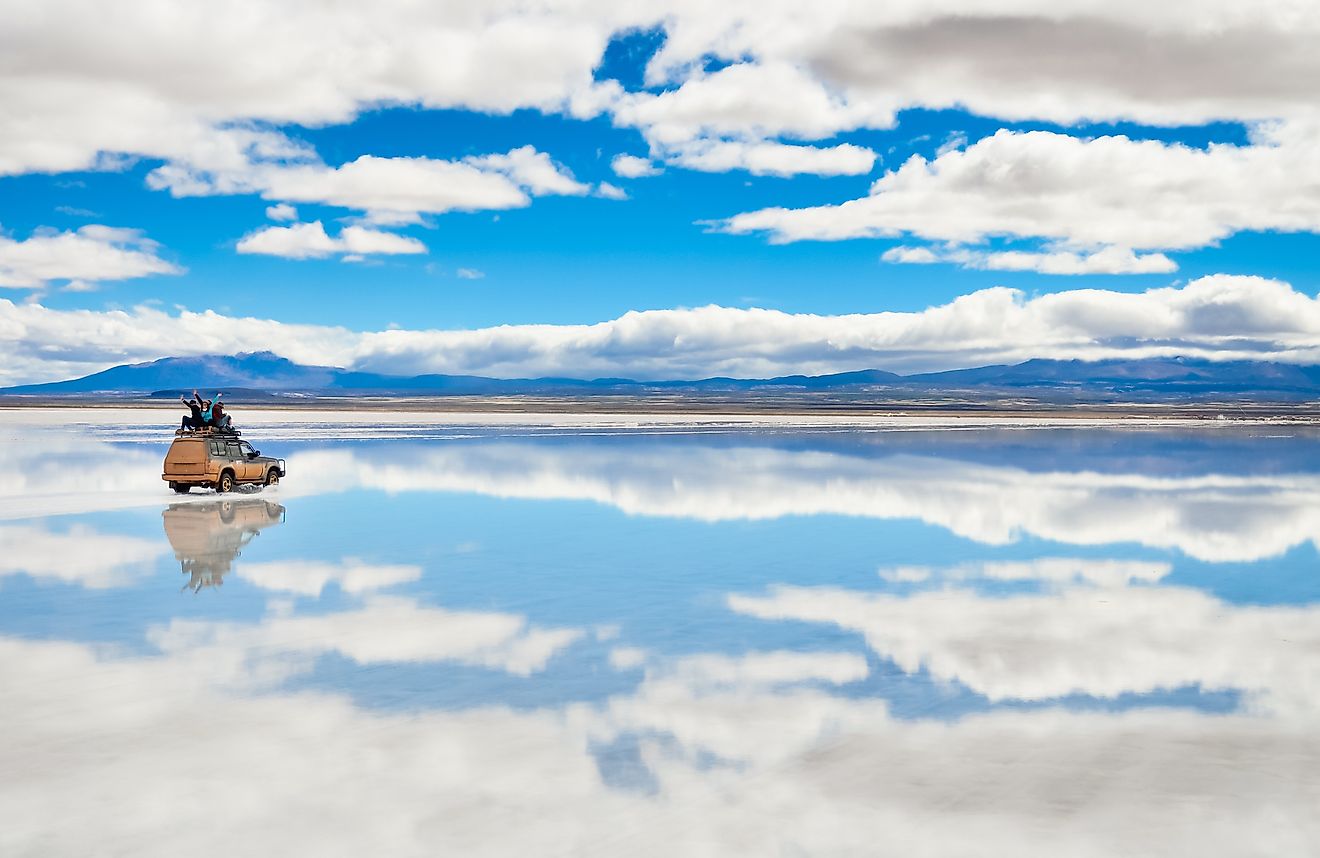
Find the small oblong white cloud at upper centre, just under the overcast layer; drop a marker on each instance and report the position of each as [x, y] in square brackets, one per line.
[774, 159]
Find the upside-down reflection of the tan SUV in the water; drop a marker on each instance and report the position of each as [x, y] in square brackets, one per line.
[208, 537]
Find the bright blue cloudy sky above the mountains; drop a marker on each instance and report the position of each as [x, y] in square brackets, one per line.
[651, 189]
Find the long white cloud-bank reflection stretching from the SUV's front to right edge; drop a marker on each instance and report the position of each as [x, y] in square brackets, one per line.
[1212, 517]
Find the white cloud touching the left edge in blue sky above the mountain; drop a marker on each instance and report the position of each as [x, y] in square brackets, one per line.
[92, 254]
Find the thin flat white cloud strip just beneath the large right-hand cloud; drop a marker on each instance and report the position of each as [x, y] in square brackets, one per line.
[1111, 261]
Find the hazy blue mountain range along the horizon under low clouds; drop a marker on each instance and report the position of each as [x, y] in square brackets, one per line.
[266, 374]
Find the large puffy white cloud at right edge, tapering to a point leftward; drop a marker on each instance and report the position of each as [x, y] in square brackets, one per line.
[1108, 193]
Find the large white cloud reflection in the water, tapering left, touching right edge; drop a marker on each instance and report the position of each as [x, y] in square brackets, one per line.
[1075, 640]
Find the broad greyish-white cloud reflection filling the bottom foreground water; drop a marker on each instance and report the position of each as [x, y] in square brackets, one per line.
[737, 769]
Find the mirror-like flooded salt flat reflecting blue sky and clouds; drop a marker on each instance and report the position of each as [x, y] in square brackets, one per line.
[498, 640]
